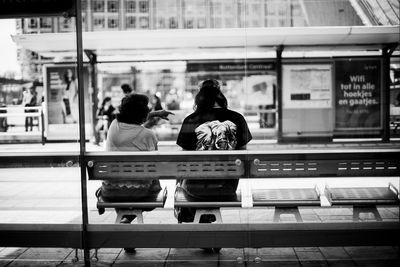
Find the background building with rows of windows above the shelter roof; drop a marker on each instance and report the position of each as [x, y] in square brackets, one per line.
[126, 15]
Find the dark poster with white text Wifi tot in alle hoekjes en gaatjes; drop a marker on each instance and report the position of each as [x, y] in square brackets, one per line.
[358, 94]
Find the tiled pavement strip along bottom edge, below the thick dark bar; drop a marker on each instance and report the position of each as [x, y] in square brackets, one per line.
[298, 256]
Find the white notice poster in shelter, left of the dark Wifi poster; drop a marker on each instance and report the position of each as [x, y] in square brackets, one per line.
[307, 86]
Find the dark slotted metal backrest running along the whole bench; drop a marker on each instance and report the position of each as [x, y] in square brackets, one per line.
[244, 165]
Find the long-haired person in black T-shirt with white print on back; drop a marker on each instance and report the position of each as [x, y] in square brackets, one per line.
[212, 126]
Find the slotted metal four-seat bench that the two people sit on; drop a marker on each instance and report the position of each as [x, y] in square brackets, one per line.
[264, 166]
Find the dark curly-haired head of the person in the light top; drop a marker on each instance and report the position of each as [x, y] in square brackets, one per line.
[133, 109]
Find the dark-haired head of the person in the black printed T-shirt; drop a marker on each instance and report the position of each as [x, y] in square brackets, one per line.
[209, 96]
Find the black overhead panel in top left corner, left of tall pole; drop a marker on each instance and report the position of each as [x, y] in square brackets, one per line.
[31, 8]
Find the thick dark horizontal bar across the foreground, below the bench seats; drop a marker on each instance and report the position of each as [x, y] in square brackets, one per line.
[200, 235]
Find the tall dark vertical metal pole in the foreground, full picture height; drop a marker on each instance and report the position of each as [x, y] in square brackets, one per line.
[82, 136]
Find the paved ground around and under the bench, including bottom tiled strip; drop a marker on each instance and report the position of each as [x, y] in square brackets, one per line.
[48, 195]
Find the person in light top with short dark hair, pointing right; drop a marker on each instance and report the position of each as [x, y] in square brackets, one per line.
[127, 133]
